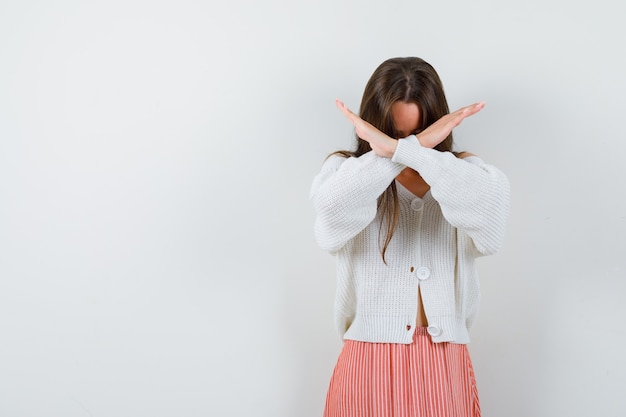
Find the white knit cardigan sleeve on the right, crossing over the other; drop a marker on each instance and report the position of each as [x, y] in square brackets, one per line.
[473, 196]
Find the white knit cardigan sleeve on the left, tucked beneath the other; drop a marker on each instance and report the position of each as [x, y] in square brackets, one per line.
[345, 194]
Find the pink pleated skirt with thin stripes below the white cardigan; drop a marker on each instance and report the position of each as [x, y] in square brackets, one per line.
[422, 379]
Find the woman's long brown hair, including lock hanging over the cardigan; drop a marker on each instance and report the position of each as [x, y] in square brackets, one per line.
[408, 80]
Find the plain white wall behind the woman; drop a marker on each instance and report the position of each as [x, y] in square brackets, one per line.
[156, 248]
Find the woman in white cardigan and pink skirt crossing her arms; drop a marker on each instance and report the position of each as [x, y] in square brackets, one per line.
[406, 218]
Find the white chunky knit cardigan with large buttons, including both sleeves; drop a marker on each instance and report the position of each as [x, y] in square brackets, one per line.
[434, 247]
